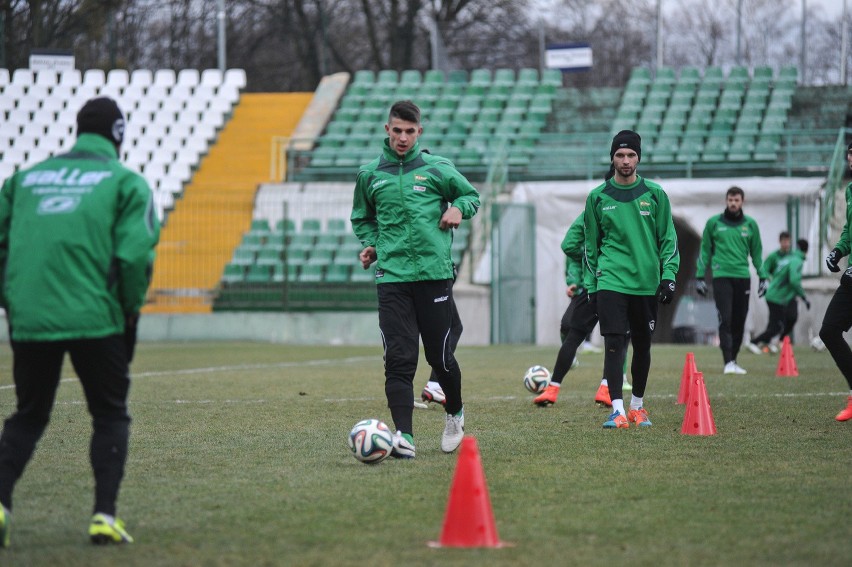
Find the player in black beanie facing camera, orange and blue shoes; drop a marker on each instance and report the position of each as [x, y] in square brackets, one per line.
[632, 259]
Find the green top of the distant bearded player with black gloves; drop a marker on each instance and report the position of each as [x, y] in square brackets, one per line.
[728, 245]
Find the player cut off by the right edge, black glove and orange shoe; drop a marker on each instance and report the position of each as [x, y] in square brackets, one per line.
[838, 315]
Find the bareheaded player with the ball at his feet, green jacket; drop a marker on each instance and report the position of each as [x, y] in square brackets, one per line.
[405, 204]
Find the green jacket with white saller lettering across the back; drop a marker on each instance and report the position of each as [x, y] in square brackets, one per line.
[77, 234]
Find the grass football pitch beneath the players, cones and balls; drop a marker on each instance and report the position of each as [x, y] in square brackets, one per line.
[238, 457]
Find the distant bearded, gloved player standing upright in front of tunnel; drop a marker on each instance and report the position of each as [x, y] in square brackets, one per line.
[729, 239]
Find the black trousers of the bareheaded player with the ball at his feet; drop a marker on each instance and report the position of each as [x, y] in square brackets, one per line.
[409, 312]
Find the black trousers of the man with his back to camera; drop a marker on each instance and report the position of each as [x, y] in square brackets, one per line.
[101, 365]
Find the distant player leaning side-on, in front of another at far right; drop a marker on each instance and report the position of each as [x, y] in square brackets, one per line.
[785, 287]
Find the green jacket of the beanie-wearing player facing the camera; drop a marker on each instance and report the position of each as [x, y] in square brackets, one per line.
[631, 242]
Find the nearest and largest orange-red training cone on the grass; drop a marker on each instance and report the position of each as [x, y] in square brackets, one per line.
[469, 521]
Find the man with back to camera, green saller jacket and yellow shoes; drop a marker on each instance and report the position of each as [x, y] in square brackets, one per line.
[77, 234]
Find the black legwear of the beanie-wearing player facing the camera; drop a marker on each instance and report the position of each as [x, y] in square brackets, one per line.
[626, 317]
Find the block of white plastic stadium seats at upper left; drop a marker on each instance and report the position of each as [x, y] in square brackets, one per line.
[163, 141]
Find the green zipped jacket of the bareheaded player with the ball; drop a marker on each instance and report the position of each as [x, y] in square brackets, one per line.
[397, 206]
